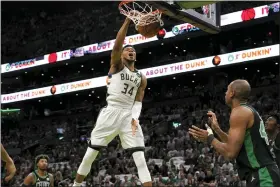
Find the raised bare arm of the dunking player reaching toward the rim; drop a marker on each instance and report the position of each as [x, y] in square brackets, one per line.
[117, 49]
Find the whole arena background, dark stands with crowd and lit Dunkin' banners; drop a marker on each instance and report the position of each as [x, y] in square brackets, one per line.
[53, 66]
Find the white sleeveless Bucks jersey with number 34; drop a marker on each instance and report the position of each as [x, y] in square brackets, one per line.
[122, 88]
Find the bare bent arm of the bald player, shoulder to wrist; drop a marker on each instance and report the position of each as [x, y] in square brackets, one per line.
[239, 121]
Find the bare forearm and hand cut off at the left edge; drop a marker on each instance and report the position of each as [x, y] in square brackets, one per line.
[10, 166]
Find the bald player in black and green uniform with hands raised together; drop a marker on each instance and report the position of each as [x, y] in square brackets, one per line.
[246, 141]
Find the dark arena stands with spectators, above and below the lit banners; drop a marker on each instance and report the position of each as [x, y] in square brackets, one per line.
[59, 126]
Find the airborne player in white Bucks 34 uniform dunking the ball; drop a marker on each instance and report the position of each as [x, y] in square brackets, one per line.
[125, 92]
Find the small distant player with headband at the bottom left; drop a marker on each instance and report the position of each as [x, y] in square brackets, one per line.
[39, 177]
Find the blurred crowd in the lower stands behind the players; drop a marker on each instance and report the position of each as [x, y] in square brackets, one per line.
[174, 158]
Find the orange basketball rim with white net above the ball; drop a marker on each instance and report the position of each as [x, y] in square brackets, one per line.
[140, 13]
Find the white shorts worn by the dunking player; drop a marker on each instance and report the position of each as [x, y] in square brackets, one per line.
[111, 122]
